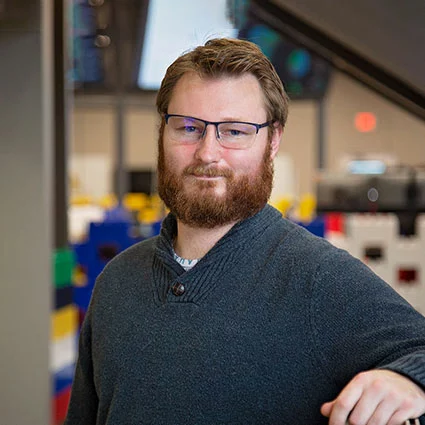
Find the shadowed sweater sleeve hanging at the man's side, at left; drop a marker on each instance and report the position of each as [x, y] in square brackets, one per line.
[84, 401]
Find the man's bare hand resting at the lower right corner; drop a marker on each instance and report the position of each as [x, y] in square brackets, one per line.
[376, 397]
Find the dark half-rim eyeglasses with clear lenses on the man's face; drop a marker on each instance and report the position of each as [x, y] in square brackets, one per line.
[230, 134]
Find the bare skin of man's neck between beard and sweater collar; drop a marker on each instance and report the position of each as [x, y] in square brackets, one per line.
[194, 242]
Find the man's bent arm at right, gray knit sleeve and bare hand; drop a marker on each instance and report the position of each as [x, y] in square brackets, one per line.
[378, 346]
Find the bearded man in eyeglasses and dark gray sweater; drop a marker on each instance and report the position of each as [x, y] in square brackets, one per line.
[234, 315]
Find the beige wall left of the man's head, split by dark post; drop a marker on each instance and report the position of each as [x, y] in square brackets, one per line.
[92, 159]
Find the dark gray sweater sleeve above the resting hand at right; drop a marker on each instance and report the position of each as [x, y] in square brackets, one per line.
[359, 322]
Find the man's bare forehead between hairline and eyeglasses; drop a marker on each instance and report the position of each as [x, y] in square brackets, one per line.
[227, 97]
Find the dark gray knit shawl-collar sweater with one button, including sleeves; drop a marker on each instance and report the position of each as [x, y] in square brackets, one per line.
[270, 324]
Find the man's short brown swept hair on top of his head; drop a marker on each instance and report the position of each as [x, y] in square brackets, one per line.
[228, 57]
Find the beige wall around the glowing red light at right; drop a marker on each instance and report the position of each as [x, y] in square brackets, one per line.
[397, 133]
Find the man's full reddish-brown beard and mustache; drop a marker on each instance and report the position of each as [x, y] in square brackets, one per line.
[200, 206]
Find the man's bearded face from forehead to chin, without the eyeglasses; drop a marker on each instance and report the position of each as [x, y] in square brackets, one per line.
[204, 184]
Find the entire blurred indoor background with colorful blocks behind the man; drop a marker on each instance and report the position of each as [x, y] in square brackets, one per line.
[78, 140]
